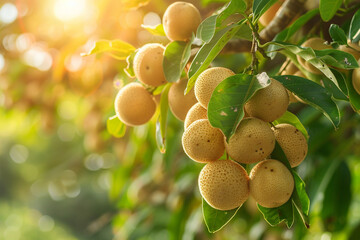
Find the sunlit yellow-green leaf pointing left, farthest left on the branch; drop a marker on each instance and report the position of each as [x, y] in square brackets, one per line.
[116, 48]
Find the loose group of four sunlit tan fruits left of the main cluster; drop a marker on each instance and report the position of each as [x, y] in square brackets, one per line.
[135, 104]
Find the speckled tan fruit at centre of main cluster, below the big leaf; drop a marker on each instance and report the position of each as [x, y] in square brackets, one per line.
[252, 142]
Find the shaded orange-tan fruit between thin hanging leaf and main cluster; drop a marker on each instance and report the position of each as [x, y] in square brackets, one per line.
[178, 102]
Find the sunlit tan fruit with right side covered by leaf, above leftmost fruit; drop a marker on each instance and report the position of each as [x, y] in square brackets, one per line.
[148, 65]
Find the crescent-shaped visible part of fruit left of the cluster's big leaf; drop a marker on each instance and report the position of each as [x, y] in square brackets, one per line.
[208, 81]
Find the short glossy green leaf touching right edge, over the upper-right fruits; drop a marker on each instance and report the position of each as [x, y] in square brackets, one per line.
[336, 58]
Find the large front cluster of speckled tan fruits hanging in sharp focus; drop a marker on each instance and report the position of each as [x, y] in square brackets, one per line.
[225, 184]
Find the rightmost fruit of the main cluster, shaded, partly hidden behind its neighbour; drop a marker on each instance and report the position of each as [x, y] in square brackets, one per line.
[292, 142]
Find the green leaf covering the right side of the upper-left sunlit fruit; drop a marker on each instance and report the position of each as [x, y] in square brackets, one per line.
[176, 56]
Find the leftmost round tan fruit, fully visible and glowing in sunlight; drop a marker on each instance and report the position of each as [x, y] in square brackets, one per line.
[134, 105]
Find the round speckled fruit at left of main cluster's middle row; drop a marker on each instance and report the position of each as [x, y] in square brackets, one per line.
[202, 142]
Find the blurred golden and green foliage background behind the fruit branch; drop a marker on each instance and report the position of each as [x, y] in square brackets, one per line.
[63, 176]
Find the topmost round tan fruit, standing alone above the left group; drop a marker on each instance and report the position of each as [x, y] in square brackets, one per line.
[180, 21]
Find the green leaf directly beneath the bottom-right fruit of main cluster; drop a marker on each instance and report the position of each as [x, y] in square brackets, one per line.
[274, 216]
